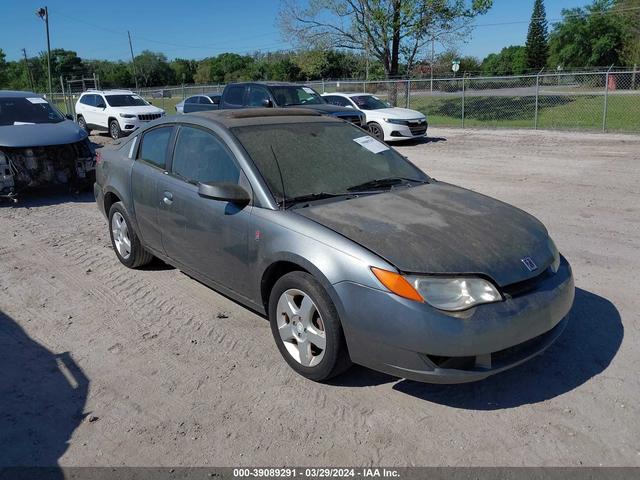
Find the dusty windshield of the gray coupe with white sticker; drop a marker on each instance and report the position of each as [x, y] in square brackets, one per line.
[322, 159]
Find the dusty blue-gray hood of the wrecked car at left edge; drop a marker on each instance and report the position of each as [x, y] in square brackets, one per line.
[41, 134]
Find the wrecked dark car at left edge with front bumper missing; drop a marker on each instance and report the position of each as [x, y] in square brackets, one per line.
[40, 146]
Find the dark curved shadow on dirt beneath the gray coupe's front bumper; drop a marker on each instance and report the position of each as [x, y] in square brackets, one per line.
[585, 349]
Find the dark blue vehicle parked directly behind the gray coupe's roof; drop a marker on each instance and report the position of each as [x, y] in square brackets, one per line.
[284, 95]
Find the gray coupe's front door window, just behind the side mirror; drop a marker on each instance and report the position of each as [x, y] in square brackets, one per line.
[200, 156]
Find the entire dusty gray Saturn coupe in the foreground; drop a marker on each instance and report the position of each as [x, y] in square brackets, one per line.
[353, 253]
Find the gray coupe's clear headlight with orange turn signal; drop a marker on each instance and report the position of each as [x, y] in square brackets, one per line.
[445, 293]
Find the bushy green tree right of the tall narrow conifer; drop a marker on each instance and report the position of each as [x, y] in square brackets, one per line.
[591, 36]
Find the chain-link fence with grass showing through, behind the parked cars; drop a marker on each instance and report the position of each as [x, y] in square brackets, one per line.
[591, 101]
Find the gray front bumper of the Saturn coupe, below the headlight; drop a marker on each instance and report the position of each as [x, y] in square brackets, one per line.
[412, 340]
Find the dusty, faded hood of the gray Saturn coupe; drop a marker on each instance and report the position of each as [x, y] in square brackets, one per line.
[440, 228]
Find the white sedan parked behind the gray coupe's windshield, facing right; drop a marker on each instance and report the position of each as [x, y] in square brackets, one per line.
[385, 122]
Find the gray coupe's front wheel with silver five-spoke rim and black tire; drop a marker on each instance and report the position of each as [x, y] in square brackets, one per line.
[306, 327]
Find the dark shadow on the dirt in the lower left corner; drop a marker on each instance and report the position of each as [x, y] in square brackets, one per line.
[42, 400]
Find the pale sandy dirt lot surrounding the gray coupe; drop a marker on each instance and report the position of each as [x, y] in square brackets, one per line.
[100, 365]
